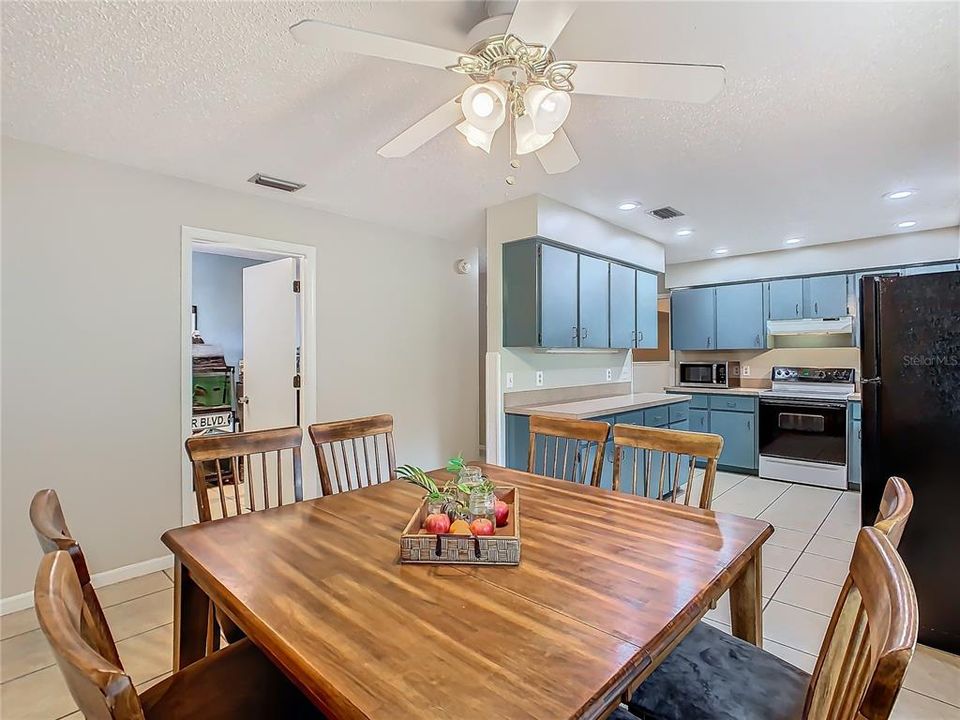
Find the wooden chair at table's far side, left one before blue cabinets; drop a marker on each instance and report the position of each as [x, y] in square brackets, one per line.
[588, 438]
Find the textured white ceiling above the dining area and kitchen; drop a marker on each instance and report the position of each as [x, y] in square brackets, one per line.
[827, 106]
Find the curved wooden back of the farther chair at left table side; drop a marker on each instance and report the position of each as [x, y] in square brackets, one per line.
[46, 516]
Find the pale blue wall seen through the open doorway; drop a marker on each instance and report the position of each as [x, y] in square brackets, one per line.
[218, 295]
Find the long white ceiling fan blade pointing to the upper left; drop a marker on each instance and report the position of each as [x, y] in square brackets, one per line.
[335, 37]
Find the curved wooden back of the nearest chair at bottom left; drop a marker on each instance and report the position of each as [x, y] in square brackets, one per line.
[99, 686]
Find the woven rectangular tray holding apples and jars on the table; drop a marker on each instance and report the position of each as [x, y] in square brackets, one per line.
[419, 546]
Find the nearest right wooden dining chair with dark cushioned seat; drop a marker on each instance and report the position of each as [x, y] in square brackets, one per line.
[862, 662]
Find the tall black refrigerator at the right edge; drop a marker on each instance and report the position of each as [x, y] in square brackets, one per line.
[910, 330]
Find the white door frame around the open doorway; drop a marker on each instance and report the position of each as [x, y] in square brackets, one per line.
[307, 254]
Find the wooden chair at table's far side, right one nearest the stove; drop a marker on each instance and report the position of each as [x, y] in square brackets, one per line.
[659, 462]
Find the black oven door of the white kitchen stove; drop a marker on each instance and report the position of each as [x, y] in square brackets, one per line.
[811, 430]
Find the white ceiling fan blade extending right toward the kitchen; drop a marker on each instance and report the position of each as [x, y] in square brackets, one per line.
[654, 81]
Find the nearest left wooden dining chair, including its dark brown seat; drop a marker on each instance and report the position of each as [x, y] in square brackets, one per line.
[237, 682]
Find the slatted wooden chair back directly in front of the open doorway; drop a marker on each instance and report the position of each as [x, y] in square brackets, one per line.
[237, 494]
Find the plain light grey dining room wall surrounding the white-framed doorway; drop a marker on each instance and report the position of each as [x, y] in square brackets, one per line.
[91, 331]
